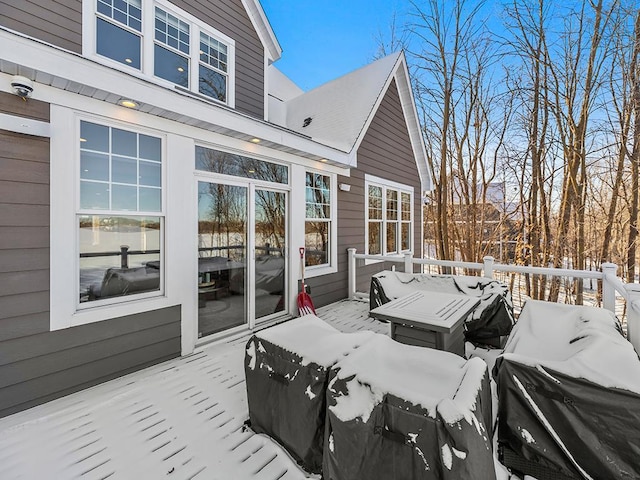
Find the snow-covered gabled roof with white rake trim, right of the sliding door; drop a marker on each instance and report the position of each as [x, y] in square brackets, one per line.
[341, 110]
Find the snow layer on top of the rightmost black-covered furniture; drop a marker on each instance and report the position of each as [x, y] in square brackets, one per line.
[582, 342]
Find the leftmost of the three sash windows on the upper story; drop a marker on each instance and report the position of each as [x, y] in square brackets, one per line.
[118, 31]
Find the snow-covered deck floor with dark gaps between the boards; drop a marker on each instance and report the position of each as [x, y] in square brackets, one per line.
[182, 419]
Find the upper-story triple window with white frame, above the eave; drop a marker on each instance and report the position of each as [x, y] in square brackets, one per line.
[163, 42]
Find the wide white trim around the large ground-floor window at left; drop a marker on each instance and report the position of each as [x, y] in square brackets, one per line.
[66, 311]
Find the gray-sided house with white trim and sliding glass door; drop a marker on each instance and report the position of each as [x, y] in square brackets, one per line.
[160, 174]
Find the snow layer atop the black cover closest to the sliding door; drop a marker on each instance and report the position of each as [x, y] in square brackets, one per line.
[313, 339]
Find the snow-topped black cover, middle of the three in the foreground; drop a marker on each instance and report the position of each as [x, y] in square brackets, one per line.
[399, 412]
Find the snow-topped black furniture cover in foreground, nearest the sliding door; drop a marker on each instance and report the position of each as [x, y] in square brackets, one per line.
[286, 368]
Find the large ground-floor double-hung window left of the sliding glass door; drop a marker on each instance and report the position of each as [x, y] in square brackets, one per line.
[120, 216]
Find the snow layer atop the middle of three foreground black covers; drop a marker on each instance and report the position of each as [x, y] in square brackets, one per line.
[440, 382]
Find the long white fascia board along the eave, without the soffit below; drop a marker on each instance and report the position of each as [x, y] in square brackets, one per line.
[73, 67]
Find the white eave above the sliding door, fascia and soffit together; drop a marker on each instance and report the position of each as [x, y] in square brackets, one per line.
[50, 65]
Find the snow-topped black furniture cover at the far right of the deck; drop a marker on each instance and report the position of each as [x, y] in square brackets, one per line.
[569, 395]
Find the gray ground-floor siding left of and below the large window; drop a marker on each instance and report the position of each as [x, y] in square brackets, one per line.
[37, 365]
